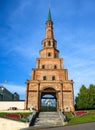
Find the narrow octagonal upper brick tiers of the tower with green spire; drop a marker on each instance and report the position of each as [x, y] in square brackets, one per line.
[49, 43]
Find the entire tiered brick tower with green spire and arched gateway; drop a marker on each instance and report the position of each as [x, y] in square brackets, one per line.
[49, 87]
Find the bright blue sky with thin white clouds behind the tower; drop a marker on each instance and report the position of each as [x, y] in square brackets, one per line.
[22, 28]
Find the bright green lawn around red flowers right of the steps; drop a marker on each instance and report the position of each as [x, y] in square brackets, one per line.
[90, 117]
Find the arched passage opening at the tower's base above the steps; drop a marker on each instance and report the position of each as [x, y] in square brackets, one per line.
[48, 99]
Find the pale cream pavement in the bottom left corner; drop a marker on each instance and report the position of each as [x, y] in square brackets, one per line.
[6, 124]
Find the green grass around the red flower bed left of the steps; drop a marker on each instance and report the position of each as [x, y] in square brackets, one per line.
[24, 115]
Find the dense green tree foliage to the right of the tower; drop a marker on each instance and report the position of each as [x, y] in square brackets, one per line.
[86, 97]
